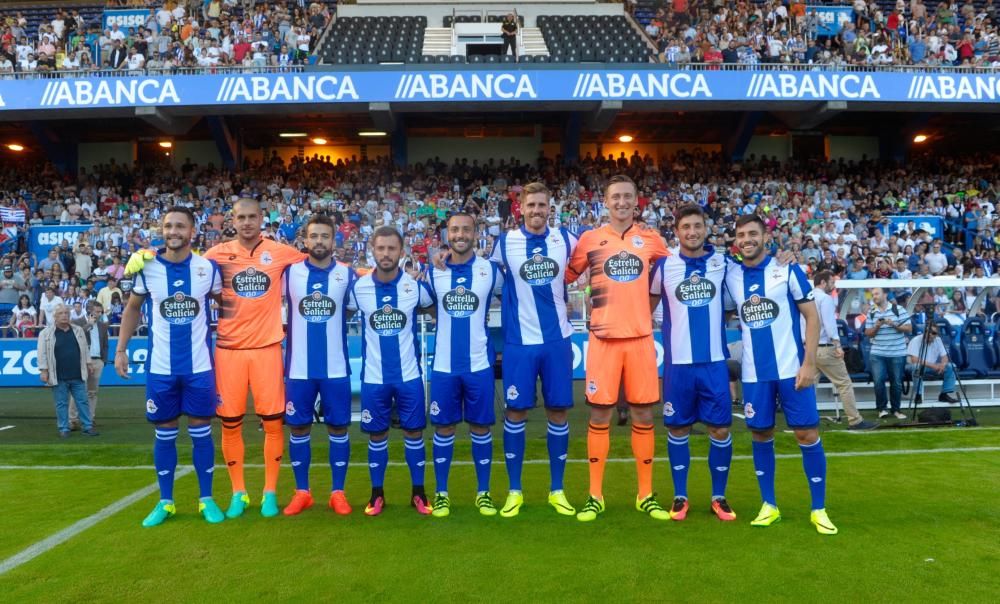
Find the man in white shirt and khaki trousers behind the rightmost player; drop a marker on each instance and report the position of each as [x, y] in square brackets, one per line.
[830, 354]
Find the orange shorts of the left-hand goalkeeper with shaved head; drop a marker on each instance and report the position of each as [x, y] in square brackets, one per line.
[237, 372]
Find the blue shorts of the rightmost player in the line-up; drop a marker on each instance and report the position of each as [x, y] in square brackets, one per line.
[760, 400]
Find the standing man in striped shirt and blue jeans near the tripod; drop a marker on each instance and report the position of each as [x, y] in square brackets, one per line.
[887, 326]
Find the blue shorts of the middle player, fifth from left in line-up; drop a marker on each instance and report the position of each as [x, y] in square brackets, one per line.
[467, 396]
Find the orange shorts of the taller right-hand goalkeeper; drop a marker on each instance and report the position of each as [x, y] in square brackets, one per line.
[610, 362]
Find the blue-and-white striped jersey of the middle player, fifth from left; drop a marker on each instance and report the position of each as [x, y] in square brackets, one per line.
[463, 293]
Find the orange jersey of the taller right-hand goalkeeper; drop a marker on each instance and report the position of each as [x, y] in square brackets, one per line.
[619, 278]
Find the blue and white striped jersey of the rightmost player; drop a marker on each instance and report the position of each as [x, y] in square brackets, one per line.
[766, 298]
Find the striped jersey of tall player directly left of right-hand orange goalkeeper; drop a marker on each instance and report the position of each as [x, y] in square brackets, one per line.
[533, 309]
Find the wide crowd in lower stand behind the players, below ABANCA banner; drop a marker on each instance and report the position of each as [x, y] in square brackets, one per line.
[832, 215]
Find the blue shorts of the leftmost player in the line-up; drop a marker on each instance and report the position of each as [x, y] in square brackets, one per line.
[170, 396]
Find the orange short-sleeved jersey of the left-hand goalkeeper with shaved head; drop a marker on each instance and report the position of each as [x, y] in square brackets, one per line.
[251, 292]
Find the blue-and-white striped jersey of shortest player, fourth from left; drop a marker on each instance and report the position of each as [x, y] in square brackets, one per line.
[390, 346]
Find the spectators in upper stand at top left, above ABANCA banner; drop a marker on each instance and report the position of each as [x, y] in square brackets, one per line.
[219, 33]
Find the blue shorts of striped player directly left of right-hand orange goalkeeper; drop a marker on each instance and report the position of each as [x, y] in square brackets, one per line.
[523, 365]
